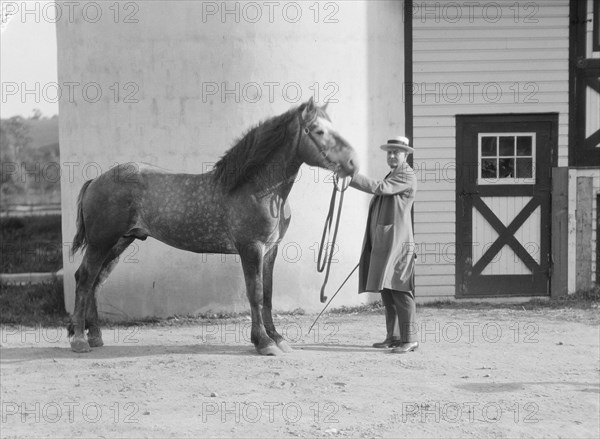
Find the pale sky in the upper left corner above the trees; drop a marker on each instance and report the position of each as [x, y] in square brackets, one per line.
[28, 62]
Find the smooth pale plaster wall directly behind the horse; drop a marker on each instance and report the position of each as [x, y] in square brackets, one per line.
[187, 88]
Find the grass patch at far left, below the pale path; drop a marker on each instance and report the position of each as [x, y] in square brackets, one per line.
[31, 305]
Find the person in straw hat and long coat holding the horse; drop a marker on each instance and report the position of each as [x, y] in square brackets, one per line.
[387, 259]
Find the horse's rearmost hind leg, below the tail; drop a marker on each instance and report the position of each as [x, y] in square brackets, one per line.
[85, 277]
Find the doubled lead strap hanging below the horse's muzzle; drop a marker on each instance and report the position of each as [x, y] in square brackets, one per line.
[325, 257]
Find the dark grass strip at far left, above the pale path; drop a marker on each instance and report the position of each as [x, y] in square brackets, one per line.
[32, 244]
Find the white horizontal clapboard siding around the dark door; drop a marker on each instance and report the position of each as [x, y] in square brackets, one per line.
[500, 57]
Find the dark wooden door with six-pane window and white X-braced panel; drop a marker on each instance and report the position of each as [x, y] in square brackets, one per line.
[503, 204]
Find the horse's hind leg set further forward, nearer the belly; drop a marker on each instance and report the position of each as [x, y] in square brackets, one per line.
[94, 333]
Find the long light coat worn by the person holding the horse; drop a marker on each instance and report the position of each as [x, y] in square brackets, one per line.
[387, 258]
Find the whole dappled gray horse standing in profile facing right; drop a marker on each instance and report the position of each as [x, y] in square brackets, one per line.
[240, 207]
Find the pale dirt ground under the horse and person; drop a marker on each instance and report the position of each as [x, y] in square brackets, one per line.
[478, 373]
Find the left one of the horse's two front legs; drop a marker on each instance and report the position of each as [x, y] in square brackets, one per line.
[252, 263]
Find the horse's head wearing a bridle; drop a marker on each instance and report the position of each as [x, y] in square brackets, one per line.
[321, 145]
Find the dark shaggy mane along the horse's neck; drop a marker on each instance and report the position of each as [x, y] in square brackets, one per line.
[252, 151]
